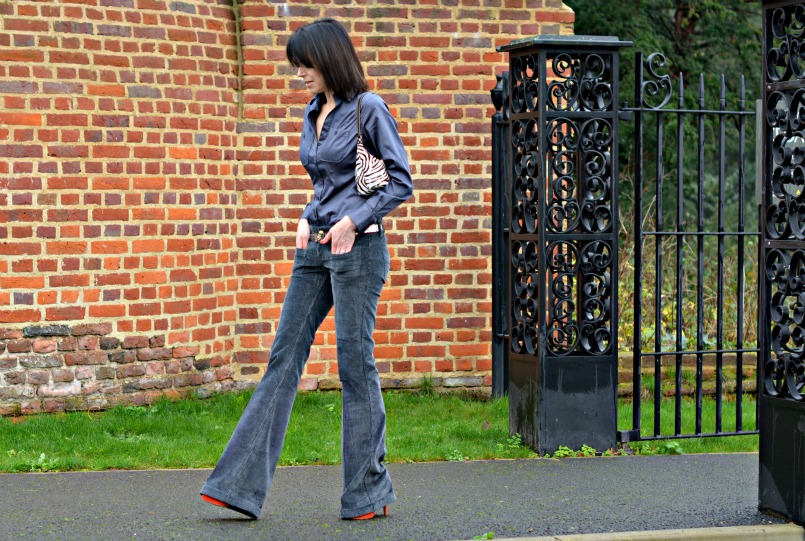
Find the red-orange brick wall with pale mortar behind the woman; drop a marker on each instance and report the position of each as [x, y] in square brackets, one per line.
[151, 188]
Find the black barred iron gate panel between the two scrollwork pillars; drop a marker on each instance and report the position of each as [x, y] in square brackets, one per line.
[694, 241]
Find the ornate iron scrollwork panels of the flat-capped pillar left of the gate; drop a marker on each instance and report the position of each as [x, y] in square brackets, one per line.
[562, 153]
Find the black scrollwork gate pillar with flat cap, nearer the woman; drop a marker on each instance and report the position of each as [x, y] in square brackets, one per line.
[562, 173]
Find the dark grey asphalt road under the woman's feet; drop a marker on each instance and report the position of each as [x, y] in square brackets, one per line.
[436, 501]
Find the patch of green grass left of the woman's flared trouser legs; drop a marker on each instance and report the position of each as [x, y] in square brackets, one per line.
[169, 434]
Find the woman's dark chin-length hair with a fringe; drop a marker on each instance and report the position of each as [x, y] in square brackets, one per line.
[325, 46]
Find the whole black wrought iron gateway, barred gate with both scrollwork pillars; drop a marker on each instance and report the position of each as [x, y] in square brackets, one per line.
[556, 251]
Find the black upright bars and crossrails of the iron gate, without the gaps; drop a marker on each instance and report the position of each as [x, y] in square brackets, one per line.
[643, 90]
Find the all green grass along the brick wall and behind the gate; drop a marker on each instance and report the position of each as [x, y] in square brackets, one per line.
[192, 433]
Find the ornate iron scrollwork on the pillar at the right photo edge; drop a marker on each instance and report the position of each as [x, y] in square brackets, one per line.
[784, 365]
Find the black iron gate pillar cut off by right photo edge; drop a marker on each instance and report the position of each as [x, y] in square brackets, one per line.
[781, 373]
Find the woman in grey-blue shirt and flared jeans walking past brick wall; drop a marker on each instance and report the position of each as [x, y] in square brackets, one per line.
[341, 260]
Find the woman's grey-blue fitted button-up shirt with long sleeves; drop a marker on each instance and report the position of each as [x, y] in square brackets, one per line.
[330, 162]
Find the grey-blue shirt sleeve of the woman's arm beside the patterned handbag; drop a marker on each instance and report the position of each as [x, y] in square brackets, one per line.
[382, 139]
